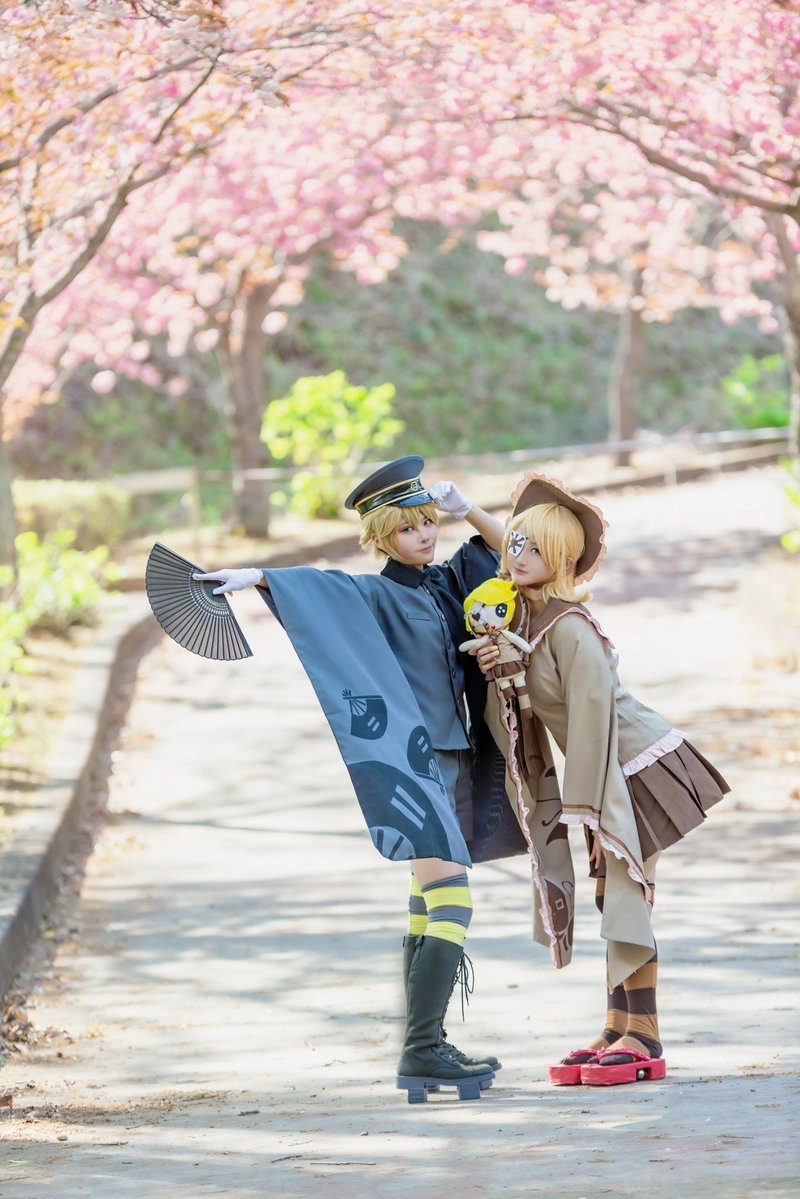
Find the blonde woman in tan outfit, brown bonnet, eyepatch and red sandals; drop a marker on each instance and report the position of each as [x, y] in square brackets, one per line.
[630, 779]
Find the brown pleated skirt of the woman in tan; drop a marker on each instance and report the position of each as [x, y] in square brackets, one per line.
[672, 797]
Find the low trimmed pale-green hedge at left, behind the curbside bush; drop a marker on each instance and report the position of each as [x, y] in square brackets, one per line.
[95, 514]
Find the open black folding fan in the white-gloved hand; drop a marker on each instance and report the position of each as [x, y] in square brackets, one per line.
[189, 612]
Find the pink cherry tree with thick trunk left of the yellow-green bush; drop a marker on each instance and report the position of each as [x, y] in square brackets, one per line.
[214, 260]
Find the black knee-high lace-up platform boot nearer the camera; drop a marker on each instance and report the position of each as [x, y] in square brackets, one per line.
[425, 1063]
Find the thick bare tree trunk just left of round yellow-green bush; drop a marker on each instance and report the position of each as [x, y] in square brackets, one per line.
[244, 356]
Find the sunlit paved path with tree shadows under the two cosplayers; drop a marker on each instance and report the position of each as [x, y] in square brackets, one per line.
[225, 1020]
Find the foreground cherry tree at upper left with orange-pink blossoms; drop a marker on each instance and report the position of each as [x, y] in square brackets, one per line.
[106, 100]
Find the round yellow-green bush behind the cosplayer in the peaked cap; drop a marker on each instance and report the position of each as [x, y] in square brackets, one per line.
[329, 425]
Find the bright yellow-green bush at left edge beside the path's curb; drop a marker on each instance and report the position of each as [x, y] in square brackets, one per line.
[57, 587]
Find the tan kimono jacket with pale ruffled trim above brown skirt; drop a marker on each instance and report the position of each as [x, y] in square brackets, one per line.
[604, 734]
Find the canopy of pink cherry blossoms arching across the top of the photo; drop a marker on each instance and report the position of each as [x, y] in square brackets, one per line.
[629, 91]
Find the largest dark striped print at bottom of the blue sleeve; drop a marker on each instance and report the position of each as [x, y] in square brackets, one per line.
[399, 814]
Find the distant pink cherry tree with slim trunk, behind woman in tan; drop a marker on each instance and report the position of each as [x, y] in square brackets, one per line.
[613, 237]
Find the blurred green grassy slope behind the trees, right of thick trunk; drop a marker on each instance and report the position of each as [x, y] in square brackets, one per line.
[483, 361]
